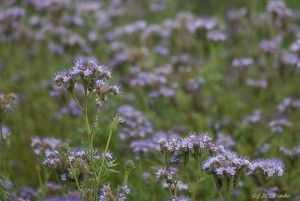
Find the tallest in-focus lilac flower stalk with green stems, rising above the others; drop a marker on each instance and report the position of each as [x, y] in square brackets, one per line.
[94, 79]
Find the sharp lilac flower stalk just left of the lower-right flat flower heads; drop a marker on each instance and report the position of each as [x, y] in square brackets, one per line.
[177, 152]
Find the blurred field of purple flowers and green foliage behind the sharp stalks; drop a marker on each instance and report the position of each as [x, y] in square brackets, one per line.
[226, 67]
